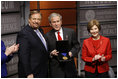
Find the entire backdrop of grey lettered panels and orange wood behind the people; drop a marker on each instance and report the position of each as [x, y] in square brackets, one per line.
[76, 15]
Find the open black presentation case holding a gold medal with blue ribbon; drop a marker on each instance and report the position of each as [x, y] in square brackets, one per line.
[63, 48]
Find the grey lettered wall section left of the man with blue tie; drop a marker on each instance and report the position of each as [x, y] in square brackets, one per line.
[10, 25]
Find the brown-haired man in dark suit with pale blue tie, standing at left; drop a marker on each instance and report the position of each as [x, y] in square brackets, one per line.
[33, 55]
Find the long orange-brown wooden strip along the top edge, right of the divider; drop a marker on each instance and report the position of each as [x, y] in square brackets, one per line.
[57, 4]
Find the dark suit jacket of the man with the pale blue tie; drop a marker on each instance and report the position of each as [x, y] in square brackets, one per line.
[33, 57]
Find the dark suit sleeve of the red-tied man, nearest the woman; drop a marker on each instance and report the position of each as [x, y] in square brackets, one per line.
[75, 44]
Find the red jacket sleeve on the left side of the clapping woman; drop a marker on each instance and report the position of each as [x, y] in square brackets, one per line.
[85, 56]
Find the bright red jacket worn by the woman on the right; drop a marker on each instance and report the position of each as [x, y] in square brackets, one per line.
[88, 52]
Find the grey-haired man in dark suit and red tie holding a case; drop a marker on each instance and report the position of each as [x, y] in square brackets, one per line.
[59, 69]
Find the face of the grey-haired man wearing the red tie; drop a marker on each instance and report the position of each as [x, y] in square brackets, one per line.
[56, 23]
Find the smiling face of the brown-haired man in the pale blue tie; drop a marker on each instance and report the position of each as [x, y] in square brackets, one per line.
[35, 21]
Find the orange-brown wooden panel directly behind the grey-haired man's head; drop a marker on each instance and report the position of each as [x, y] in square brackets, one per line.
[69, 16]
